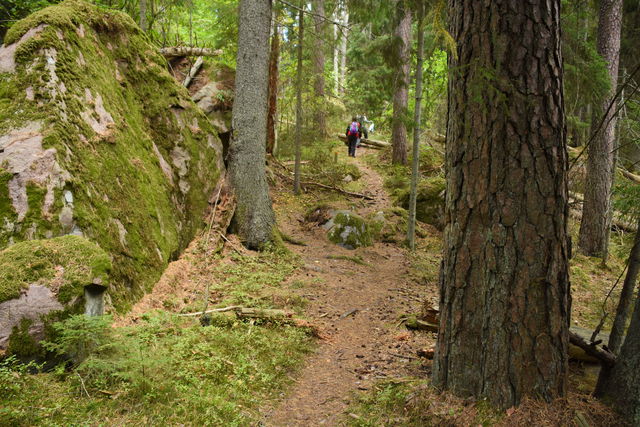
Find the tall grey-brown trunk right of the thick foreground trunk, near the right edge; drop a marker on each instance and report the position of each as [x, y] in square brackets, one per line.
[596, 219]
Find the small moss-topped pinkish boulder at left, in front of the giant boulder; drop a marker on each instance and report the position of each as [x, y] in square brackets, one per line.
[39, 277]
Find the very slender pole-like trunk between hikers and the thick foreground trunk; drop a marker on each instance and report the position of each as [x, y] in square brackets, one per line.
[415, 174]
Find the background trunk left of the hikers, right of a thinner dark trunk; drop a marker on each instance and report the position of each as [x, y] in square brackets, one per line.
[318, 68]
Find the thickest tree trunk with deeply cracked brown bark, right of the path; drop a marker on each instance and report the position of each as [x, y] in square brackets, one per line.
[504, 285]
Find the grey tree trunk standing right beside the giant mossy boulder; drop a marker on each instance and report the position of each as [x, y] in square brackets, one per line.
[254, 219]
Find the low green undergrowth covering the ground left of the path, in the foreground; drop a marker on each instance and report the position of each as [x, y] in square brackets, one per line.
[165, 370]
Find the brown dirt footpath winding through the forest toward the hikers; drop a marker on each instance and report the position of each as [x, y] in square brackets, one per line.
[358, 308]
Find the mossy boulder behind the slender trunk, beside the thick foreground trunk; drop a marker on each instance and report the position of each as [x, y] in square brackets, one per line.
[429, 201]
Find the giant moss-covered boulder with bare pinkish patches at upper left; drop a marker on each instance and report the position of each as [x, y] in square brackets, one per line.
[99, 140]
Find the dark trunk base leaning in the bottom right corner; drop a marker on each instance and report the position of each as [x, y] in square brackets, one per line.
[622, 387]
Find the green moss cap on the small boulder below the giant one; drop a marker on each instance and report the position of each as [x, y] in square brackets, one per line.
[68, 262]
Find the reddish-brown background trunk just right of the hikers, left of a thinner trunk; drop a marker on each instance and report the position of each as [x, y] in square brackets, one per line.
[401, 82]
